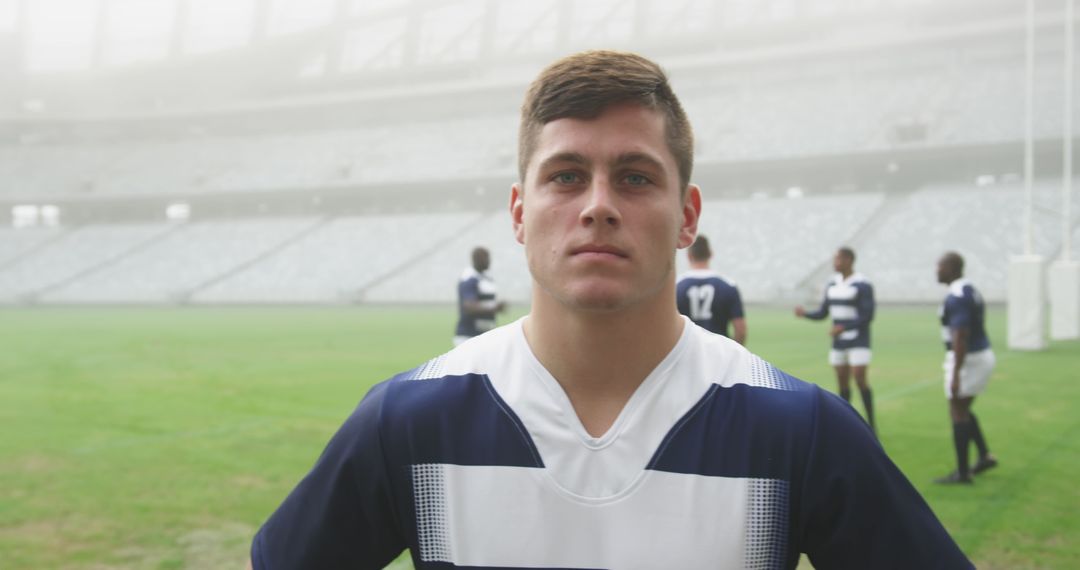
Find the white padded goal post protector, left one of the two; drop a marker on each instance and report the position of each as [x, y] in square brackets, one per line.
[1027, 304]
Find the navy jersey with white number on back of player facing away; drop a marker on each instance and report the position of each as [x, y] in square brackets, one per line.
[708, 300]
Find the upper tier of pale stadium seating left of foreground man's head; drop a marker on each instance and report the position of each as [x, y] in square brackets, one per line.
[422, 152]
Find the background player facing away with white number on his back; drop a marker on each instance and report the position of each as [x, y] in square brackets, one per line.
[707, 298]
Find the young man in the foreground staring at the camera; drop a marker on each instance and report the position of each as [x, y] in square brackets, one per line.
[603, 430]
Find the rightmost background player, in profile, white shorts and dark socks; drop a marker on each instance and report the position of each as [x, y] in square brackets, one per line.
[969, 363]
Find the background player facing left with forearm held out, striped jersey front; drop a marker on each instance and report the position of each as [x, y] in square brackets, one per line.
[849, 302]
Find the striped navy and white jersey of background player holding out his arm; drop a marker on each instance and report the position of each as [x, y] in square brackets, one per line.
[850, 304]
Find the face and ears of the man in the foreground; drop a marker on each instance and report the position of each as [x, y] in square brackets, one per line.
[602, 214]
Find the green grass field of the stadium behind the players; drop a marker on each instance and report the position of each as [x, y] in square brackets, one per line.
[161, 439]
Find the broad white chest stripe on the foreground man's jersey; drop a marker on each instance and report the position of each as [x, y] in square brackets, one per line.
[516, 518]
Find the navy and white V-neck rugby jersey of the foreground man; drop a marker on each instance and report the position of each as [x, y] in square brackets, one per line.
[477, 459]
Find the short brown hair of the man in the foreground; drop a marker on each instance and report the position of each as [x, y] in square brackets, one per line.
[584, 85]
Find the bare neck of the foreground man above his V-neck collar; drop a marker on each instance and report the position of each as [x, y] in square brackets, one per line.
[600, 358]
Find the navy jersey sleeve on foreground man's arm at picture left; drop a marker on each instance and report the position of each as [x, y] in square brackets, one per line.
[342, 514]
